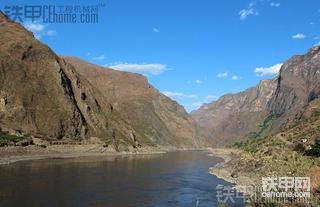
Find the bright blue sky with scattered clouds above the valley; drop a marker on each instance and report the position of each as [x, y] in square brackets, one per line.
[192, 50]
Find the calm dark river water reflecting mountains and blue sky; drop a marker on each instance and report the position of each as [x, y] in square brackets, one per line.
[161, 180]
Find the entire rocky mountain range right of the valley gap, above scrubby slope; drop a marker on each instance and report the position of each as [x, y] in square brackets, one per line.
[266, 108]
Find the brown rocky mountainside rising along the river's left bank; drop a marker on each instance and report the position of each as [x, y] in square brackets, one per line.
[44, 95]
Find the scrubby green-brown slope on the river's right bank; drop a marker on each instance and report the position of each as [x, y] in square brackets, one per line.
[288, 153]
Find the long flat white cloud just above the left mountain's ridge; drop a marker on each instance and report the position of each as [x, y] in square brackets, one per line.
[153, 69]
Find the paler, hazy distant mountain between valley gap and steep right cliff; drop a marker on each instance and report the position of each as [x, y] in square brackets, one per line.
[234, 116]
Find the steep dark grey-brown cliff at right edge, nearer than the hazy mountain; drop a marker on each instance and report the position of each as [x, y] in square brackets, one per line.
[298, 85]
